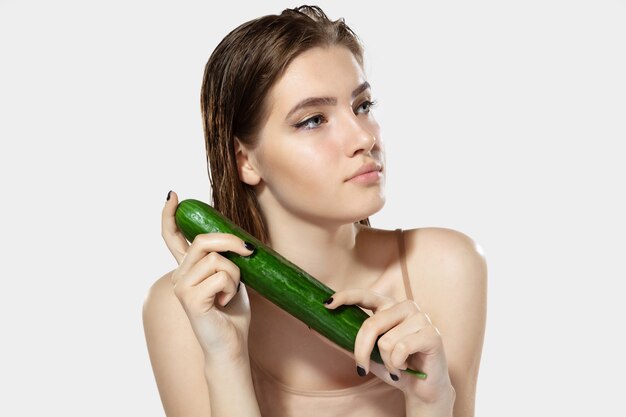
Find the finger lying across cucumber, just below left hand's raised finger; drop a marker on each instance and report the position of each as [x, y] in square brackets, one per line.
[206, 243]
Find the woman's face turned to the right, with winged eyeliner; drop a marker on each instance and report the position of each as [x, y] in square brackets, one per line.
[318, 134]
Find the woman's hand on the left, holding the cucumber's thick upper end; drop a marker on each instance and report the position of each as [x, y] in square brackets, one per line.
[208, 286]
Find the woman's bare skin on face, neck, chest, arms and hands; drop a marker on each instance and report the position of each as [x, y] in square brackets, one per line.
[196, 320]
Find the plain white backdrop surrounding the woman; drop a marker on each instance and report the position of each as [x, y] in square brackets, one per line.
[502, 119]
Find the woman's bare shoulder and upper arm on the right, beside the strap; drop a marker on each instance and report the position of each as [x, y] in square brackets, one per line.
[449, 278]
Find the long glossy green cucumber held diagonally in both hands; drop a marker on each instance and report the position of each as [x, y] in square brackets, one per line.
[279, 280]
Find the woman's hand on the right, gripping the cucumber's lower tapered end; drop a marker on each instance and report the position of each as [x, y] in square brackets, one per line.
[409, 340]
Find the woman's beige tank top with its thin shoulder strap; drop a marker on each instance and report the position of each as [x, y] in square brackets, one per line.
[373, 398]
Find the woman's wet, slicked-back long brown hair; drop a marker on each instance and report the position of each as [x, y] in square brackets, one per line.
[237, 78]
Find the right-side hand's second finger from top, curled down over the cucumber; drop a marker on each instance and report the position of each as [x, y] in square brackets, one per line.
[377, 325]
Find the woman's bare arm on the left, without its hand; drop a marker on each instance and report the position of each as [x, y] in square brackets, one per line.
[184, 381]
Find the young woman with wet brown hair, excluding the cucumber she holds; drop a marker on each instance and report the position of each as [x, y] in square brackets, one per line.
[296, 159]
